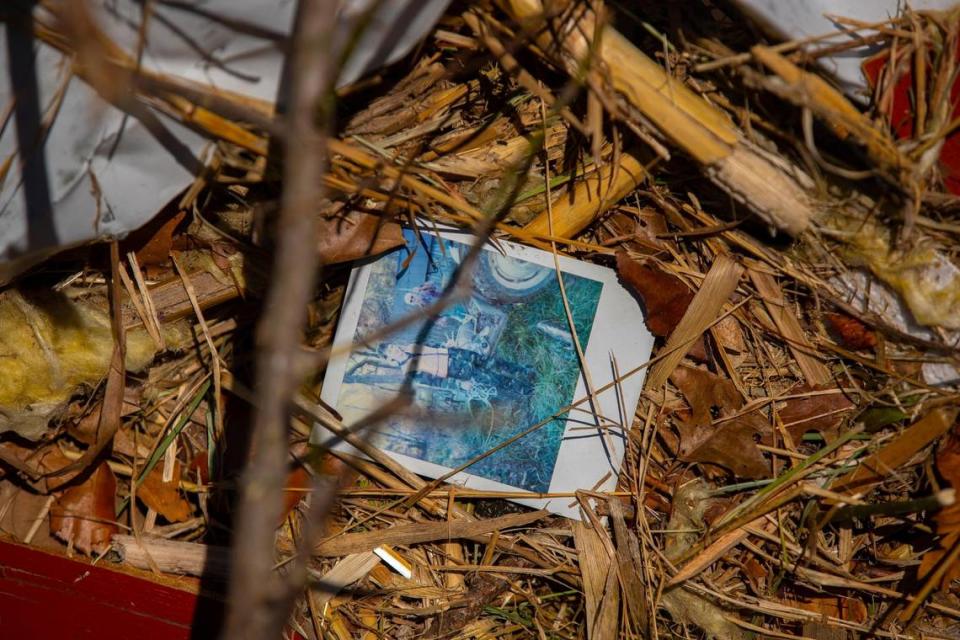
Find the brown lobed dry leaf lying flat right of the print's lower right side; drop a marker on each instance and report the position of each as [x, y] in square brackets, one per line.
[732, 443]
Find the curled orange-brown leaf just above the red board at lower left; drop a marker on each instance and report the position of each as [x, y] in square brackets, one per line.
[84, 513]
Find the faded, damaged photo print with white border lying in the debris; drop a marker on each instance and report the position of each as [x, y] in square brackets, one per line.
[496, 361]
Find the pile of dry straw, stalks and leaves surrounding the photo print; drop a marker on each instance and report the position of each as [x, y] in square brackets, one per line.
[791, 470]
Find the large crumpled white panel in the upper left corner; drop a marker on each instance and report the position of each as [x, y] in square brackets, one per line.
[107, 174]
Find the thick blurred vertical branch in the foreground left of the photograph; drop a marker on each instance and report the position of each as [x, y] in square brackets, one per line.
[260, 599]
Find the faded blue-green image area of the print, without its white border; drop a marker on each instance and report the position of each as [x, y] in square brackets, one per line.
[481, 371]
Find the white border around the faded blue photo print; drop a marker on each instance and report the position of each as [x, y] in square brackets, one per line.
[583, 461]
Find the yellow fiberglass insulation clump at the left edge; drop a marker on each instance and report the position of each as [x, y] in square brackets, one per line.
[51, 347]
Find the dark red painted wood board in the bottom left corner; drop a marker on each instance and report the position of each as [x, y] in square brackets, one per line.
[43, 595]
